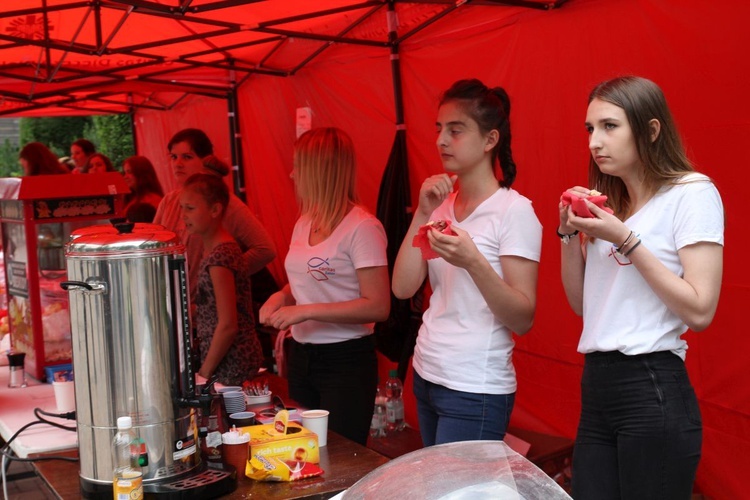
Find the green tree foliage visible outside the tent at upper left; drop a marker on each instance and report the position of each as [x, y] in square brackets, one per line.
[111, 134]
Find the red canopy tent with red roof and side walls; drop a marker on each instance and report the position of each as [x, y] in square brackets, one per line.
[239, 69]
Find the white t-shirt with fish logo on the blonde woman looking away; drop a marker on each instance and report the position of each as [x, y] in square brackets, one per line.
[327, 272]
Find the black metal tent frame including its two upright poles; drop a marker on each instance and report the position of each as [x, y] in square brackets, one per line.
[100, 91]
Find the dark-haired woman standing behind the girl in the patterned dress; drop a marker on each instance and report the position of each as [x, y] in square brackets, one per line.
[187, 150]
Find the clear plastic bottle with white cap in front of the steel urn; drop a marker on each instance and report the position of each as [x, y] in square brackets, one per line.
[128, 476]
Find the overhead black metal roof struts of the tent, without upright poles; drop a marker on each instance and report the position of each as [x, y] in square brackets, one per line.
[73, 82]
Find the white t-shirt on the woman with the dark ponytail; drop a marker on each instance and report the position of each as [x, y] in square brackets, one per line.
[461, 344]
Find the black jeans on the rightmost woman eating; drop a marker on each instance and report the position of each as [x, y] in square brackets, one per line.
[640, 431]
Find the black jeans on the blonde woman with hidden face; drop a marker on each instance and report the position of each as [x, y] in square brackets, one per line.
[341, 378]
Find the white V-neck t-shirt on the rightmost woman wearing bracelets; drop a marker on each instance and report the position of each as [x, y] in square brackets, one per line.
[620, 310]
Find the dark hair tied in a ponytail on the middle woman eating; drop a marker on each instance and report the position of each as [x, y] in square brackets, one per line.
[490, 108]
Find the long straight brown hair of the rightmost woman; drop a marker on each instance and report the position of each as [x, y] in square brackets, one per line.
[664, 159]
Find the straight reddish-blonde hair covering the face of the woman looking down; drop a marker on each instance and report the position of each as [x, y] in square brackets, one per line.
[324, 174]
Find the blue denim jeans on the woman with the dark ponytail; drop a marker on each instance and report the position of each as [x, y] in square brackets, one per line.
[447, 416]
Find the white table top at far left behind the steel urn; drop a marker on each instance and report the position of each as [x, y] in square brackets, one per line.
[17, 409]
